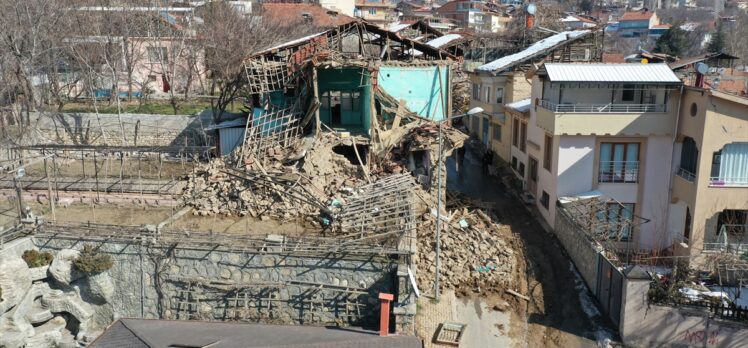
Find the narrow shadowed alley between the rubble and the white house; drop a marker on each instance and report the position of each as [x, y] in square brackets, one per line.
[560, 312]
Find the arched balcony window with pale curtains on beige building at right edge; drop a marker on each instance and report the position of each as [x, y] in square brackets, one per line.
[729, 166]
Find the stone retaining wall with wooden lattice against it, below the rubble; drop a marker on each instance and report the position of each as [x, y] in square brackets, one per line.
[181, 283]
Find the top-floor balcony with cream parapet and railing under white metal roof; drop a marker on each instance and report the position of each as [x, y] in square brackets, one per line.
[605, 119]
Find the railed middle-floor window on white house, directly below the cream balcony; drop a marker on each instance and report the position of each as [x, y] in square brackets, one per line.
[619, 162]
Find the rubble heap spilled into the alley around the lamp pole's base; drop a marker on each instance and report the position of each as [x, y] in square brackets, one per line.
[475, 257]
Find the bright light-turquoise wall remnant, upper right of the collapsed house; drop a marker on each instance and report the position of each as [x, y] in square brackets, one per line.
[419, 87]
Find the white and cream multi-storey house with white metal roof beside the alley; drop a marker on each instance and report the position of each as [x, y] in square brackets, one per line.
[604, 128]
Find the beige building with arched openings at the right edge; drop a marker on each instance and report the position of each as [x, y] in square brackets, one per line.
[709, 205]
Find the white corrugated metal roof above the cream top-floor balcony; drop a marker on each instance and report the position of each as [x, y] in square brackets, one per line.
[625, 72]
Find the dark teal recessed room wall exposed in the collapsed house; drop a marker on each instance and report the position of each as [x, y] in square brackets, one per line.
[346, 80]
